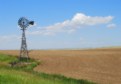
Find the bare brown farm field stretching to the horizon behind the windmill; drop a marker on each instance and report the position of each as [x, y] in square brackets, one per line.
[100, 65]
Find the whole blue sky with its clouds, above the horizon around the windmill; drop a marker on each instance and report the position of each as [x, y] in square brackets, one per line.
[61, 23]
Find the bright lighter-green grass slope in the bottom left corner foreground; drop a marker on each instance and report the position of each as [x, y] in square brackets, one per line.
[19, 77]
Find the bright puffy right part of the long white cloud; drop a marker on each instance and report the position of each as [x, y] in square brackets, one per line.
[81, 19]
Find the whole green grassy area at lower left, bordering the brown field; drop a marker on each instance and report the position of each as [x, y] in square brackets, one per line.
[24, 74]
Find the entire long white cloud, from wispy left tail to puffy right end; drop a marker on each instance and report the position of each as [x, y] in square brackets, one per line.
[79, 20]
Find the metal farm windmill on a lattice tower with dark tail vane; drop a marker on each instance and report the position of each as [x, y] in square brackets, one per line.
[24, 24]
